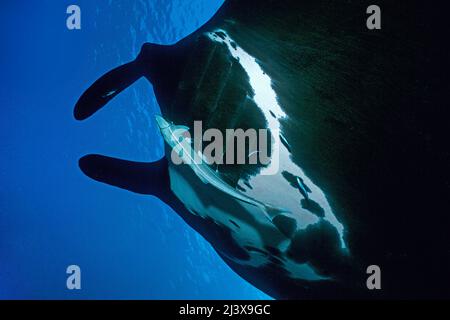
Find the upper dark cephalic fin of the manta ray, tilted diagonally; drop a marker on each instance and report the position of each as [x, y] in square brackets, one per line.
[106, 88]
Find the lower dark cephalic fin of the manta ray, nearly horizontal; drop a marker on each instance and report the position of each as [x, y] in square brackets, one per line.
[139, 177]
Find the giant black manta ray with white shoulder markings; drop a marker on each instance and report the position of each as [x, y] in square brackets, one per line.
[352, 178]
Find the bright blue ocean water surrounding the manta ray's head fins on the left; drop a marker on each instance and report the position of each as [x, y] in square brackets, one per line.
[128, 246]
